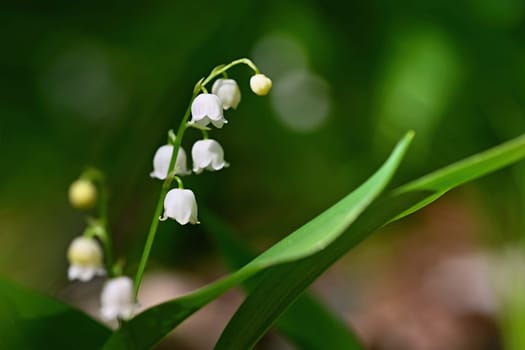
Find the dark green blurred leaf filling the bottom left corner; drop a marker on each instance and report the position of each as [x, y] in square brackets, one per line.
[29, 320]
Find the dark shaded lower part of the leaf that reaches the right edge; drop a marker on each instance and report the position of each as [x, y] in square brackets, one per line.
[281, 285]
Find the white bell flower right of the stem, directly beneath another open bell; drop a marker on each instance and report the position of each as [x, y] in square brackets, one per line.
[207, 154]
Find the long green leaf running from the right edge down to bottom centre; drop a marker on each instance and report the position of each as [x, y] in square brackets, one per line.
[281, 285]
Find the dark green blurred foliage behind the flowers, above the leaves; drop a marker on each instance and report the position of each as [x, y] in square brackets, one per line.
[98, 83]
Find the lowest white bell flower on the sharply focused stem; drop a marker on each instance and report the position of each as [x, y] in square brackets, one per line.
[180, 205]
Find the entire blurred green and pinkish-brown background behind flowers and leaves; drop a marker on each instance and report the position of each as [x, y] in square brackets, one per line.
[101, 83]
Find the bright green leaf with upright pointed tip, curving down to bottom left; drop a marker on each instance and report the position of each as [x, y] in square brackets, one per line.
[149, 327]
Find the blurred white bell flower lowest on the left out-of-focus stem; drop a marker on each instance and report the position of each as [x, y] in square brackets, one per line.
[117, 300]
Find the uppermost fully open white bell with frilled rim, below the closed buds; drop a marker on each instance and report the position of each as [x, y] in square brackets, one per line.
[207, 108]
